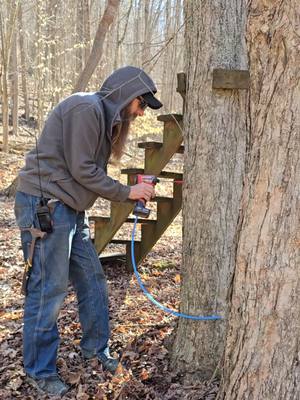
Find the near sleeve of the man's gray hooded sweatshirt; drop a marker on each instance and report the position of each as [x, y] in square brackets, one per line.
[81, 135]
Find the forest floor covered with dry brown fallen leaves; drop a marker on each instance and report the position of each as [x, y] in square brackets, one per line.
[141, 334]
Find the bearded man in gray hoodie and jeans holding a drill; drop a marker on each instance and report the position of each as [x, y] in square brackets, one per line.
[61, 179]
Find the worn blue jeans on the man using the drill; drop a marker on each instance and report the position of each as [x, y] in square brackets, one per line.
[65, 254]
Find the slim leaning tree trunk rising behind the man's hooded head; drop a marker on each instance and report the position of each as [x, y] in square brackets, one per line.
[96, 52]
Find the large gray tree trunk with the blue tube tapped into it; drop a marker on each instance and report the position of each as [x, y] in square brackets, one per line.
[215, 145]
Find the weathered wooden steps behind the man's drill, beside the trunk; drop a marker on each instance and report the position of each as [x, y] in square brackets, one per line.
[157, 156]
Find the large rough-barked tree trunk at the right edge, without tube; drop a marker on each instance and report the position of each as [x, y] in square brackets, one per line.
[263, 347]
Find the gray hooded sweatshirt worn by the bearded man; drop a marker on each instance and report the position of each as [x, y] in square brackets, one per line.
[75, 144]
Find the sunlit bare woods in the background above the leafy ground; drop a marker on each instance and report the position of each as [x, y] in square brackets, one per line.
[46, 44]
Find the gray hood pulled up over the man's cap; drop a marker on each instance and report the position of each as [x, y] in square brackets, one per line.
[120, 88]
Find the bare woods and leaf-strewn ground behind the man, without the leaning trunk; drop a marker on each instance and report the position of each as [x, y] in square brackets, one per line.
[44, 47]
